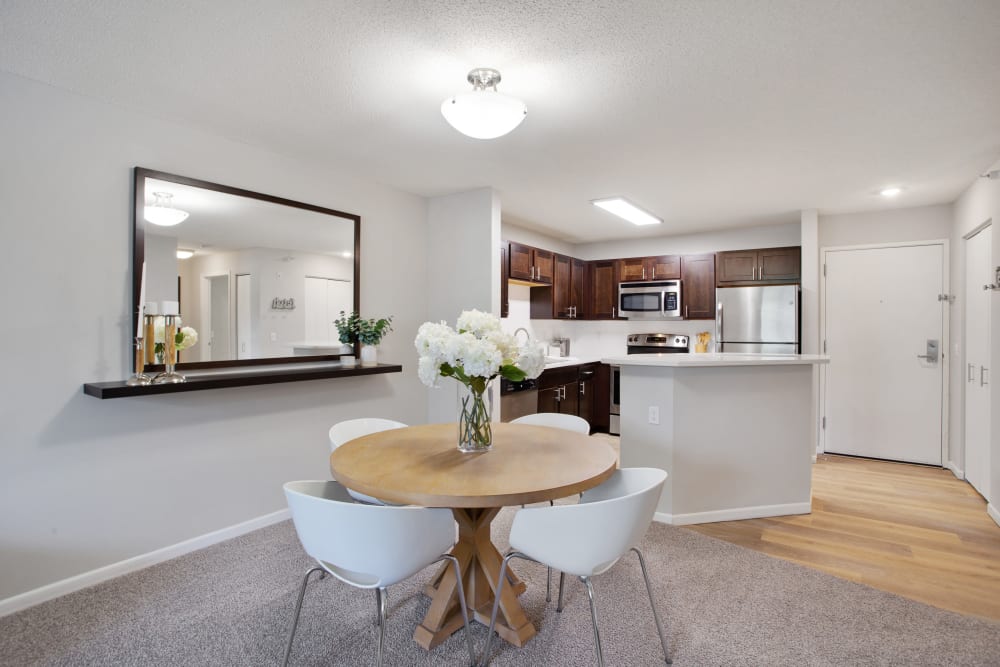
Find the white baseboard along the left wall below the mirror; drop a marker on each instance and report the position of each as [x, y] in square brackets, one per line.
[81, 581]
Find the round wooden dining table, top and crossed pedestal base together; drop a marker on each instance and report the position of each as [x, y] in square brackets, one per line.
[421, 465]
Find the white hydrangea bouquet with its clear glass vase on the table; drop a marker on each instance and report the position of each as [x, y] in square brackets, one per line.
[475, 352]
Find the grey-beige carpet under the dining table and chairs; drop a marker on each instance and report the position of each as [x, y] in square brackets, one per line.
[231, 604]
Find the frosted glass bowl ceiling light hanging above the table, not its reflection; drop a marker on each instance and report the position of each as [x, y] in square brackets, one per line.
[483, 113]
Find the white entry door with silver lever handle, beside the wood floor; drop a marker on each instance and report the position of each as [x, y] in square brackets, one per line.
[883, 396]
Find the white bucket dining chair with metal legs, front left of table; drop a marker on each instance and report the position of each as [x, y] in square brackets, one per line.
[369, 546]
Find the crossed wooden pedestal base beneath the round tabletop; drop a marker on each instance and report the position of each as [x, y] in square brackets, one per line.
[480, 563]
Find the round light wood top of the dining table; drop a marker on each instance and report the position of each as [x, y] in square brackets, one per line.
[421, 465]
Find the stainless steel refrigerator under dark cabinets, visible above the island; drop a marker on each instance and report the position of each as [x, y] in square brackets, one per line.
[758, 319]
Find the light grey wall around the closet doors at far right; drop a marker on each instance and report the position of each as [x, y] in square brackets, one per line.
[981, 202]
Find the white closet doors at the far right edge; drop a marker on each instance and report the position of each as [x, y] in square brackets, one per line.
[977, 360]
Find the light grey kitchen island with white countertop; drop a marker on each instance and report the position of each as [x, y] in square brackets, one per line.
[735, 432]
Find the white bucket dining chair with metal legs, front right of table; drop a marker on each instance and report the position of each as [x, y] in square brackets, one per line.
[588, 538]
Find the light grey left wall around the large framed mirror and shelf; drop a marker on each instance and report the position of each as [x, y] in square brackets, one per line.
[85, 483]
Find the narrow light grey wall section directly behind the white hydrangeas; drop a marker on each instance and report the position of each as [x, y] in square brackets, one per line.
[463, 273]
